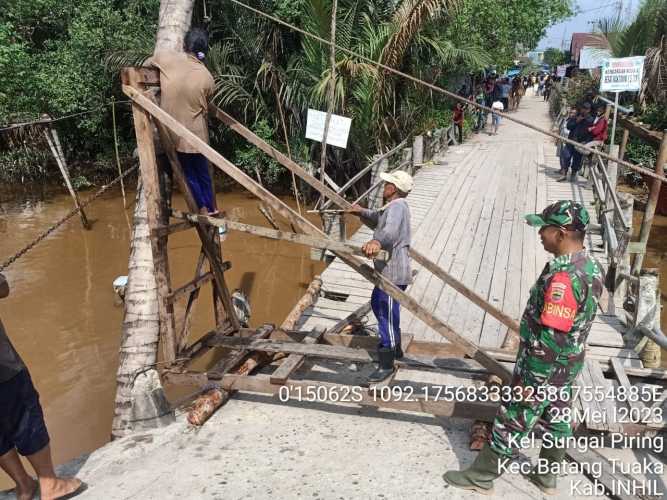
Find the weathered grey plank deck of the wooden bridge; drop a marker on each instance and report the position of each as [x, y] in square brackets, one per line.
[467, 216]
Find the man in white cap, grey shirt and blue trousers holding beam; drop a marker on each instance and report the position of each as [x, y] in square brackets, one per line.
[392, 232]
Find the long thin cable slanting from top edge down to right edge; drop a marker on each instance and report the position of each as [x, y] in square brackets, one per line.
[378, 64]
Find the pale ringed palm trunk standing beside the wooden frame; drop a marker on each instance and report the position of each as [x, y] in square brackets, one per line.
[141, 325]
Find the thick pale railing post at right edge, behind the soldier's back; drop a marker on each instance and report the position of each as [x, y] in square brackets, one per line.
[648, 315]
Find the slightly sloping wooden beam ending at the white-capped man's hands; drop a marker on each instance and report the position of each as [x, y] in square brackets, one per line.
[265, 232]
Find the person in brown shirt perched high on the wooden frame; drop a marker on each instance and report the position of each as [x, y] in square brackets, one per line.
[186, 86]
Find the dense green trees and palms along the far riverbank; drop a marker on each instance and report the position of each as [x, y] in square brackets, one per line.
[62, 57]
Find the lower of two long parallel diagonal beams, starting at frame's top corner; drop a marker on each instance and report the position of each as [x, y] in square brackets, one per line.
[307, 227]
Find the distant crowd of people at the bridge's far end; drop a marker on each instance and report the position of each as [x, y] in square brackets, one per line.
[501, 94]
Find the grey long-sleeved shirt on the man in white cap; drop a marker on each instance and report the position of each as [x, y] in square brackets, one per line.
[391, 225]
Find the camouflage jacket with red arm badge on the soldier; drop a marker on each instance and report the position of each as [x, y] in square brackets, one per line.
[562, 306]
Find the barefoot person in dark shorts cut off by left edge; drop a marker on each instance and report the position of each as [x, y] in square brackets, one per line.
[22, 428]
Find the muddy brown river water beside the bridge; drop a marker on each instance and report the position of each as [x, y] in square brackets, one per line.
[64, 317]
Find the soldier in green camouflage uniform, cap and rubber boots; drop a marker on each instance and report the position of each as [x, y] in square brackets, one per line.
[554, 328]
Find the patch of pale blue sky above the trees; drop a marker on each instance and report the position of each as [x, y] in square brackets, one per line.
[586, 13]
